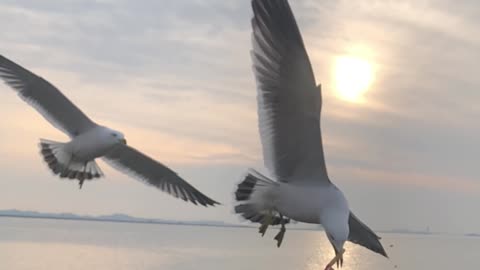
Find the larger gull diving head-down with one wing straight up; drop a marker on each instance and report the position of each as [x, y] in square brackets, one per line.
[289, 105]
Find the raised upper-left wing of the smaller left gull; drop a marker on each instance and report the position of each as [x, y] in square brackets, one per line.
[45, 98]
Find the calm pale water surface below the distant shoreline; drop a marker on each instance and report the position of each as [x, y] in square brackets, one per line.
[69, 245]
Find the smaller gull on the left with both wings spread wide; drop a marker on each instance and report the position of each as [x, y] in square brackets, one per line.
[88, 141]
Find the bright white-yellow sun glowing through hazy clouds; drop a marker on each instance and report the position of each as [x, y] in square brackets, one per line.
[353, 77]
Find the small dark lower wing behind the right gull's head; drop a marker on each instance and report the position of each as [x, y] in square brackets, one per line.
[362, 235]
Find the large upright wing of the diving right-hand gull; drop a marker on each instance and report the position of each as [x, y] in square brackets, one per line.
[289, 102]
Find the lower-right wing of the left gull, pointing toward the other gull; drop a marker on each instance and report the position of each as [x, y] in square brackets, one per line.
[133, 162]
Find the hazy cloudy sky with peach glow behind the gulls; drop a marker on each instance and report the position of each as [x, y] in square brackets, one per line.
[175, 77]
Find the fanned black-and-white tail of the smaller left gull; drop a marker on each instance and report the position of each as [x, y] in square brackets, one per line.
[63, 164]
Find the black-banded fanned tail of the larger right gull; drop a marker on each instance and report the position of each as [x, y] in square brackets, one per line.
[254, 196]
